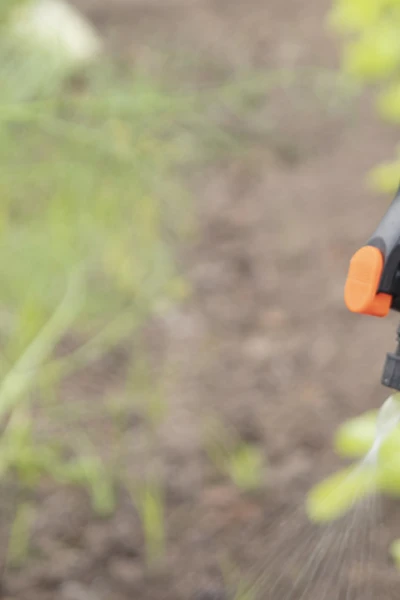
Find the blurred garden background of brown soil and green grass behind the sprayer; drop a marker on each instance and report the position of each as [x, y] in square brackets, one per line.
[182, 184]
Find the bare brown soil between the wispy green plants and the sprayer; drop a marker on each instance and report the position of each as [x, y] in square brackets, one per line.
[265, 342]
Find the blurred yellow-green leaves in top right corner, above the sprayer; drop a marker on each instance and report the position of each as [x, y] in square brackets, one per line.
[372, 55]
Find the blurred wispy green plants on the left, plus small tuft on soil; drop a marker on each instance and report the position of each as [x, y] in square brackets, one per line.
[92, 206]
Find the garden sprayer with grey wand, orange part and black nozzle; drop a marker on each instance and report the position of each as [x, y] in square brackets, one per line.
[373, 281]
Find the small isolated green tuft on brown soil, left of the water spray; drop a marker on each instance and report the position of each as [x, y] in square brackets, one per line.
[241, 461]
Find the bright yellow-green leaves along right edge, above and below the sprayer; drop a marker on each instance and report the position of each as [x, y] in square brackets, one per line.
[371, 56]
